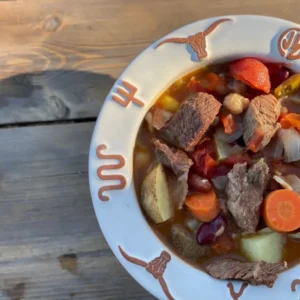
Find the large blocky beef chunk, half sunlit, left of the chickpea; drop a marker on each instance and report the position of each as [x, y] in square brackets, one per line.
[193, 119]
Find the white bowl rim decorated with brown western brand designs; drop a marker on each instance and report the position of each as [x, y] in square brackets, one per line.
[141, 252]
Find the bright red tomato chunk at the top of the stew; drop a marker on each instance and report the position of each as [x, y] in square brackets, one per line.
[252, 72]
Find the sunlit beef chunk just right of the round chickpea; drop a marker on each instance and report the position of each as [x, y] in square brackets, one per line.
[262, 115]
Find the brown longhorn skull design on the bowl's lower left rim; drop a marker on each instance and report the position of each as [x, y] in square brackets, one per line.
[156, 267]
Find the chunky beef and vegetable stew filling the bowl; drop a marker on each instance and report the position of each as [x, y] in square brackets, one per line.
[216, 169]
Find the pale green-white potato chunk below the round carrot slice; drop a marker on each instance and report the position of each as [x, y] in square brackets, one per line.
[266, 247]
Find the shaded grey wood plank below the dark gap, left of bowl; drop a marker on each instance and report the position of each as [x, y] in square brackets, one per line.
[50, 243]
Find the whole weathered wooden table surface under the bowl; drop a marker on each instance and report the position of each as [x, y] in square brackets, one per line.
[58, 60]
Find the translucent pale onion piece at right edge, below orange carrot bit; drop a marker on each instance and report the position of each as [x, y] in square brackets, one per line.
[291, 144]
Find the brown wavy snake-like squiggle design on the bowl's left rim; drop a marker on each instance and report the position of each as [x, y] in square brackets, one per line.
[122, 180]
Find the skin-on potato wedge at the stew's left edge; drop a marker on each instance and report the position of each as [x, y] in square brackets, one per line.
[155, 198]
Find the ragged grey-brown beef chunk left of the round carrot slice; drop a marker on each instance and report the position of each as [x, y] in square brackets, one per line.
[245, 193]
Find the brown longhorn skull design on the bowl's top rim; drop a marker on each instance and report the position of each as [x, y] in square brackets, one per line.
[196, 41]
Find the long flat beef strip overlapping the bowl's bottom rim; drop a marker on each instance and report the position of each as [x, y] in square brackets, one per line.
[258, 273]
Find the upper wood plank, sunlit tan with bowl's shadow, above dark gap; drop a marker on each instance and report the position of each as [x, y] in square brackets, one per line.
[78, 48]
